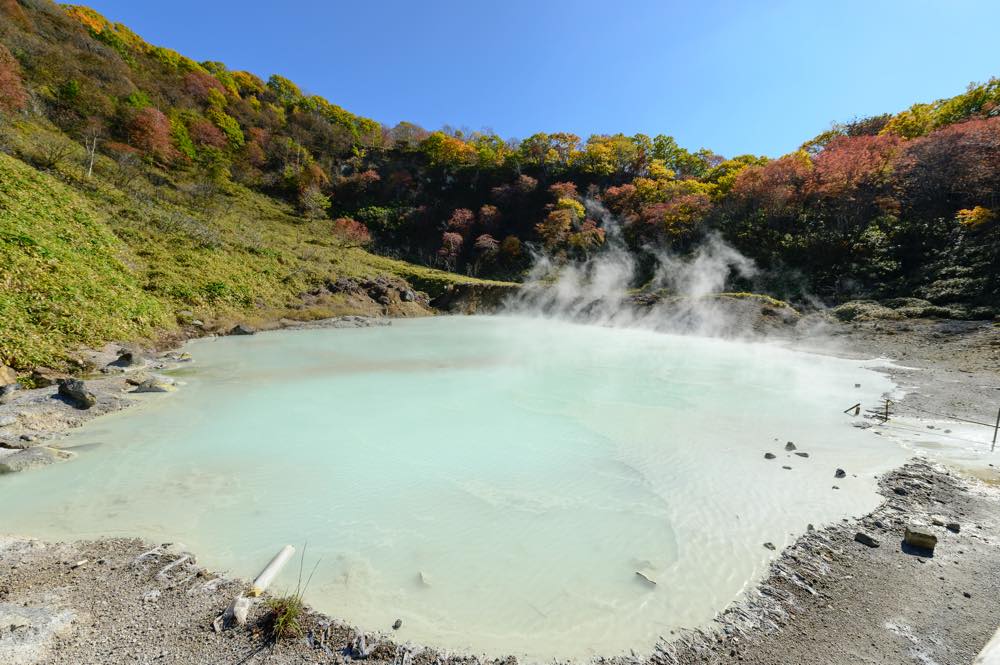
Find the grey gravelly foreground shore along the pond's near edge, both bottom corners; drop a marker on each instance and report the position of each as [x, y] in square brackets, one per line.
[828, 600]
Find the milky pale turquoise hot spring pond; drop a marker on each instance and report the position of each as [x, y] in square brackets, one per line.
[493, 482]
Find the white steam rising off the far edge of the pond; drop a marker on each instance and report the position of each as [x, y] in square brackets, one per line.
[680, 297]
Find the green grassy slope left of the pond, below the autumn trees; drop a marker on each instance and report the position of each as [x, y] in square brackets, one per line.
[120, 256]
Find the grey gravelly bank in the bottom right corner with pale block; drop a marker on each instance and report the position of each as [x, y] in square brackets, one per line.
[832, 600]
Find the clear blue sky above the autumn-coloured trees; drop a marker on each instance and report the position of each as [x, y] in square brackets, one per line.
[736, 77]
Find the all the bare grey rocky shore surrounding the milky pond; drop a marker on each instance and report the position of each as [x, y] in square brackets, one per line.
[828, 599]
